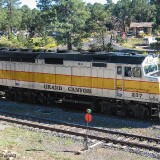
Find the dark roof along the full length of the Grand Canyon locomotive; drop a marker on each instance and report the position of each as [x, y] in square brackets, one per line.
[112, 57]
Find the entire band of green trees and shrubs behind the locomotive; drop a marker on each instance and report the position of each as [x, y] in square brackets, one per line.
[73, 20]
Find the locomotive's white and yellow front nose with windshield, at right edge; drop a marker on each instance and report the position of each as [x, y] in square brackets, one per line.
[151, 71]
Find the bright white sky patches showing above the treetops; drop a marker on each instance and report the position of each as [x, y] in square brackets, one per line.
[32, 3]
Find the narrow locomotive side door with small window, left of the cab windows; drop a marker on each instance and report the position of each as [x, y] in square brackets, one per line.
[119, 82]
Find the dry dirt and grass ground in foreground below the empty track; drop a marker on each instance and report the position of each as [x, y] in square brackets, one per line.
[21, 144]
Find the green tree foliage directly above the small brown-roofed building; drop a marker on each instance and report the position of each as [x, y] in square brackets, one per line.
[127, 11]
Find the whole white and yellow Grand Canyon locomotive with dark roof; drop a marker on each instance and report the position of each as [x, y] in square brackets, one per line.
[119, 83]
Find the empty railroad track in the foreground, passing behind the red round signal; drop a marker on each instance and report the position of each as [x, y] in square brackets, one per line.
[105, 135]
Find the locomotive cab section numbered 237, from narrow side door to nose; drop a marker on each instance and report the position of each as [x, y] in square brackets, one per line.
[137, 86]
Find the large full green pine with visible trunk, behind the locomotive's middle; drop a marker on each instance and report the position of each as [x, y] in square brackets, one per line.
[69, 21]
